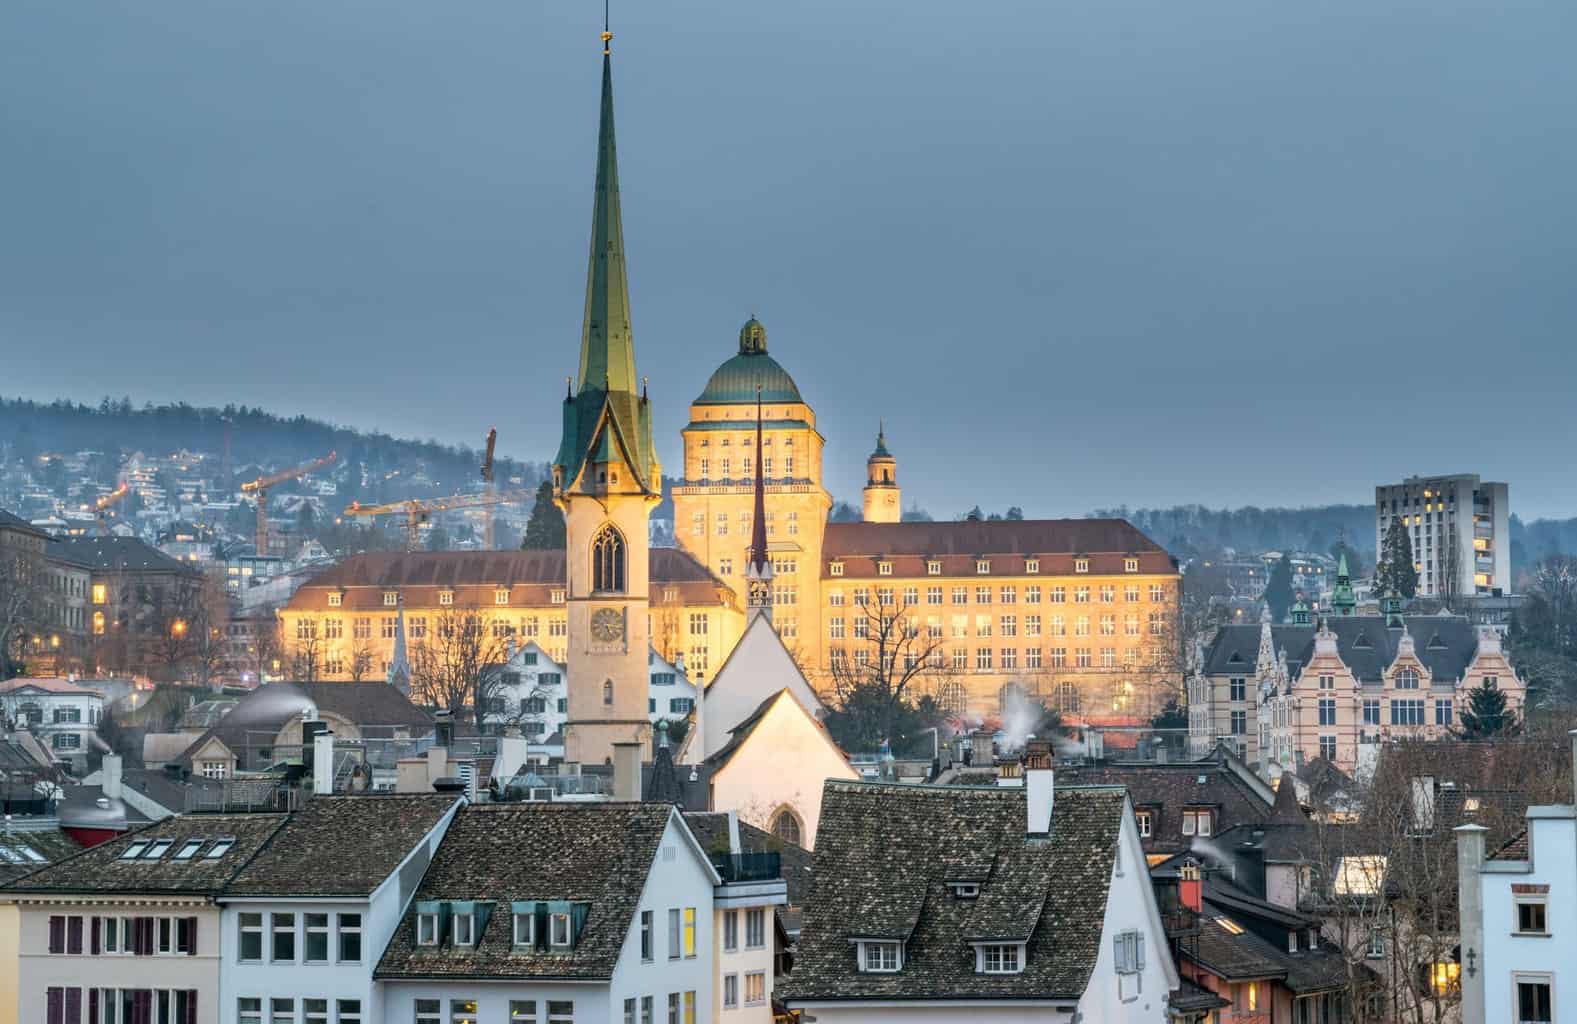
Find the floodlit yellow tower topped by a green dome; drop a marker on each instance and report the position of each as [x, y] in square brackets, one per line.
[715, 512]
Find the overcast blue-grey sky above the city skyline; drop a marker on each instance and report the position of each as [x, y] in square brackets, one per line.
[1078, 255]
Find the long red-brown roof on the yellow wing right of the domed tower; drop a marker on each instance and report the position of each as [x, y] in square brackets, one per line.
[1106, 544]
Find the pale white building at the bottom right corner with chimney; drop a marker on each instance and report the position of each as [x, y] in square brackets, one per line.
[1519, 921]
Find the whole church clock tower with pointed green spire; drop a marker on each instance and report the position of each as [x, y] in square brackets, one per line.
[606, 480]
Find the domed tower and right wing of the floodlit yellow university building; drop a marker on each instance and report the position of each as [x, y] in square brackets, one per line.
[1076, 611]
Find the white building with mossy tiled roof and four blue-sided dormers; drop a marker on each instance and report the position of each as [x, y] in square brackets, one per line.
[557, 914]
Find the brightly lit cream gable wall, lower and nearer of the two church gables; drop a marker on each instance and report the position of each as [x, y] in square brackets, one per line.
[785, 763]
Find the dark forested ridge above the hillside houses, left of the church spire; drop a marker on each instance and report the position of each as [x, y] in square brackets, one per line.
[256, 438]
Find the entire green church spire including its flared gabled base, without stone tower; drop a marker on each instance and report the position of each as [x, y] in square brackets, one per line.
[606, 420]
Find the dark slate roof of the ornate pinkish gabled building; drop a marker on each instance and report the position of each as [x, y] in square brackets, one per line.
[1444, 643]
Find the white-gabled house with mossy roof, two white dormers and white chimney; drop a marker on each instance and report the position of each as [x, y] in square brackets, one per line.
[938, 903]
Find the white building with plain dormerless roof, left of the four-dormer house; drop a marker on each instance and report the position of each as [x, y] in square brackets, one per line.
[305, 922]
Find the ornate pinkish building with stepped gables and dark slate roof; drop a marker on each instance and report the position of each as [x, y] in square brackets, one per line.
[1286, 695]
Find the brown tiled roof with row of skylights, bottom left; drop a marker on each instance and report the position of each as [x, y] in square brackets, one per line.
[102, 869]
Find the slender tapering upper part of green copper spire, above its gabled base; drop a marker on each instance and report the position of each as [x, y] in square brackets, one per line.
[608, 353]
